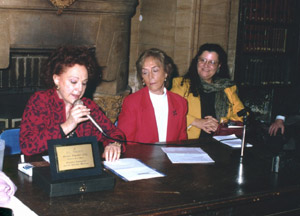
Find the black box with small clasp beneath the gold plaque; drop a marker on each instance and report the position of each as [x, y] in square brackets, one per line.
[42, 177]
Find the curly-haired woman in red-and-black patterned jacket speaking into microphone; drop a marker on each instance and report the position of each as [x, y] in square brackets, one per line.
[51, 114]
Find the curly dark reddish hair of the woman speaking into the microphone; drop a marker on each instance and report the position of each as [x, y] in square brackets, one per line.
[68, 56]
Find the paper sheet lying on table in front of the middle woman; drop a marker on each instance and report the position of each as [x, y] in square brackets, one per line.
[187, 155]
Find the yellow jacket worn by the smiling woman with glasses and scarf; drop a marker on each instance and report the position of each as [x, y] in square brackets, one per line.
[194, 107]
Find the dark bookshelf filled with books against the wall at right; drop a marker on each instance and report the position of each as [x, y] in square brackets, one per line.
[268, 54]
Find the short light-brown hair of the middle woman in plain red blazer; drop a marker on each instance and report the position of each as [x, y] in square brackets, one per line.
[166, 61]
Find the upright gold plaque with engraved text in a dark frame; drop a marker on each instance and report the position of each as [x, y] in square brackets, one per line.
[74, 157]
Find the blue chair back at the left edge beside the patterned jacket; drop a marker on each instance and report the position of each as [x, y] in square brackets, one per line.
[12, 143]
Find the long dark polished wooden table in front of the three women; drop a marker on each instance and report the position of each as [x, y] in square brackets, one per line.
[226, 187]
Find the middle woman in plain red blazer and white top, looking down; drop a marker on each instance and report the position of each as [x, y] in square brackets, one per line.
[153, 114]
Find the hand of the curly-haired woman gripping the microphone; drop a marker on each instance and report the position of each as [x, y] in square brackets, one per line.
[75, 115]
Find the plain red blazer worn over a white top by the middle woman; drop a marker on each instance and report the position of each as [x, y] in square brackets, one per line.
[137, 118]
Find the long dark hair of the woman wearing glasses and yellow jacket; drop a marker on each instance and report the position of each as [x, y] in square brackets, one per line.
[192, 73]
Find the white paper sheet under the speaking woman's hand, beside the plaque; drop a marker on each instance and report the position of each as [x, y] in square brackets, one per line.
[131, 169]
